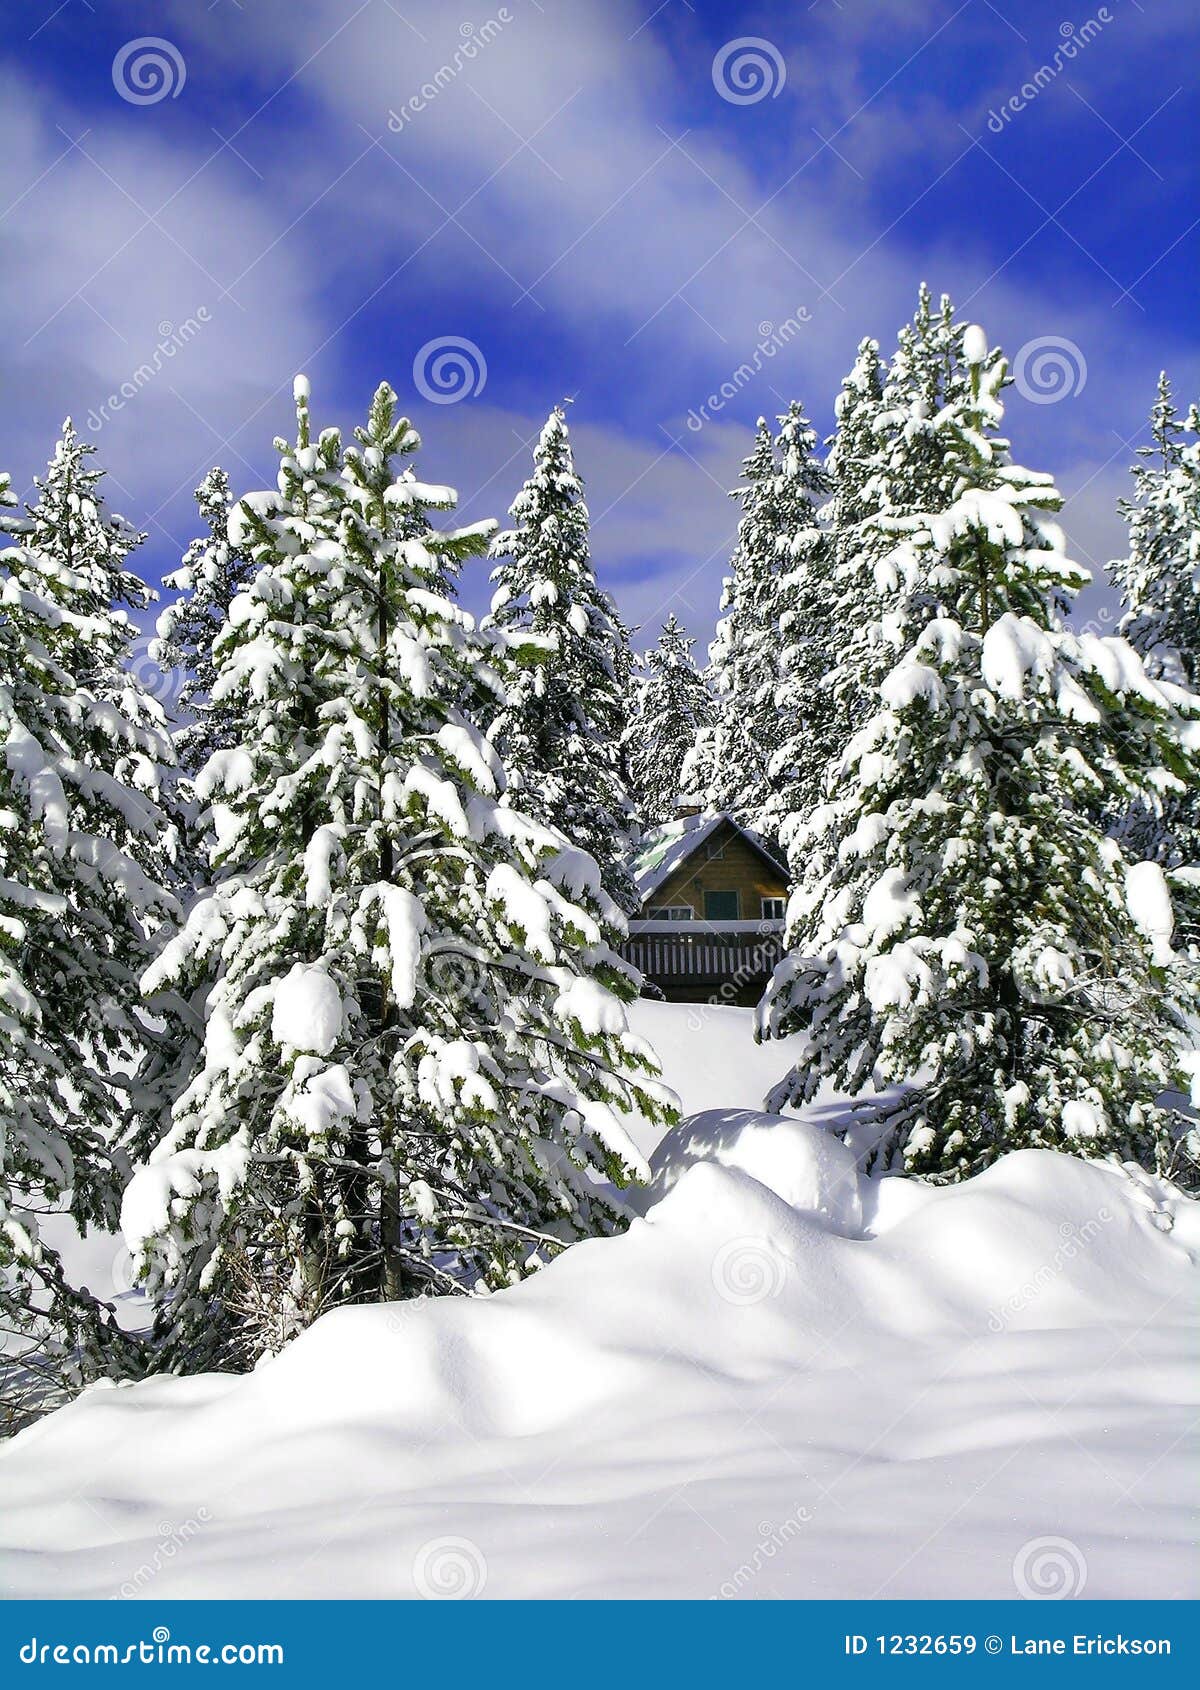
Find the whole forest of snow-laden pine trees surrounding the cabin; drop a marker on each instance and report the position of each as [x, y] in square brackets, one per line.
[319, 986]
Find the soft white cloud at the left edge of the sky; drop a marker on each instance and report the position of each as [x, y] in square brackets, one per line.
[95, 298]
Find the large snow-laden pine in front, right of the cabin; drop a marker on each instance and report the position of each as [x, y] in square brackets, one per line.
[968, 930]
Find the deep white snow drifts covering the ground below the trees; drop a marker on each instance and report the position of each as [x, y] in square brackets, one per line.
[783, 1382]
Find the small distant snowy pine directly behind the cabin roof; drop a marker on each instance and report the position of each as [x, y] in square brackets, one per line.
[672, 709]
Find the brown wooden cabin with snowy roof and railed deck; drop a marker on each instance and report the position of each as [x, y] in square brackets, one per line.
[712, 912]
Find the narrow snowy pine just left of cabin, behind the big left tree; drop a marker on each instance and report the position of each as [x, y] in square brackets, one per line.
[562, 728]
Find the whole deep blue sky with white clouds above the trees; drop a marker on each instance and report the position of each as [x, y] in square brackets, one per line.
[587, 207]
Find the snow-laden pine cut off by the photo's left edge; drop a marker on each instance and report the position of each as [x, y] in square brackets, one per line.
[84, 853]
